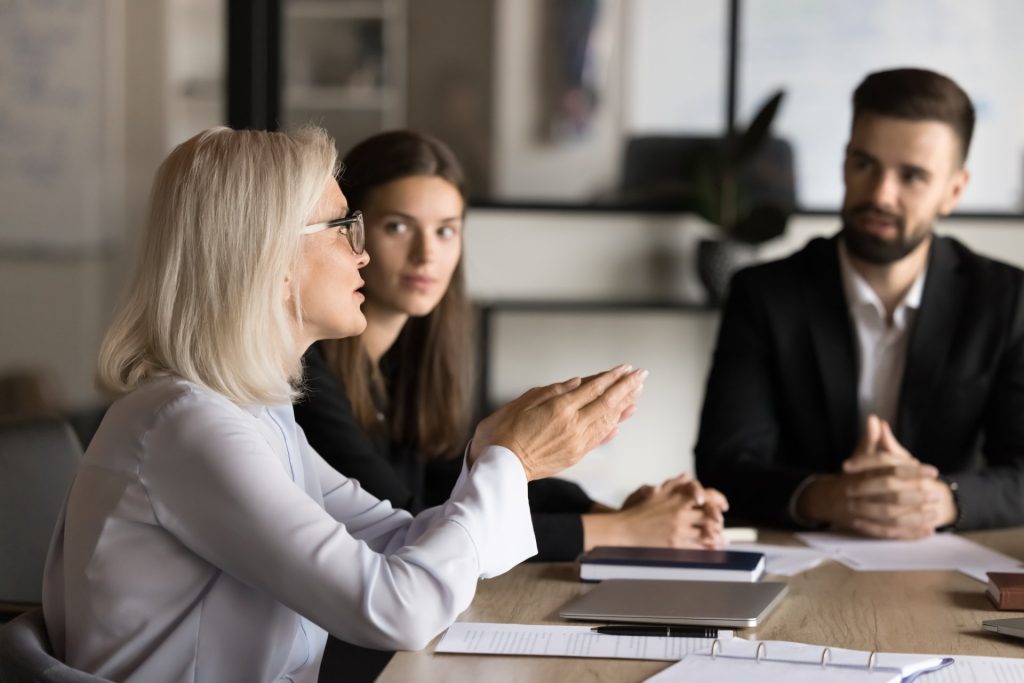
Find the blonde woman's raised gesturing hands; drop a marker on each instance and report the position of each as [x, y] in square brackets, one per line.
[550, 429]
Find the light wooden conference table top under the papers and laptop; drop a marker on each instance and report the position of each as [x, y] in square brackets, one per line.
[906, 612]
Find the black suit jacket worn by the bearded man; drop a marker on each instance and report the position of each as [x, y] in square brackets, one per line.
[782, 397]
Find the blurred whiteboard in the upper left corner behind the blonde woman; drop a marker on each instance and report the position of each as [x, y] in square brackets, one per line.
[56, 153]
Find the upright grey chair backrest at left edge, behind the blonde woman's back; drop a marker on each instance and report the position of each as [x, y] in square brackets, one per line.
[38, 460]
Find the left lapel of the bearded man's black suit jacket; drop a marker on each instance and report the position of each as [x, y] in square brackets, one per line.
[832, 335]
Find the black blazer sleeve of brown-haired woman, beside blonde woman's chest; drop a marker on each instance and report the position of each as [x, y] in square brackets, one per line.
[326, 416]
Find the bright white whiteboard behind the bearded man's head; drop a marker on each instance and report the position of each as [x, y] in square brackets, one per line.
[820, 51]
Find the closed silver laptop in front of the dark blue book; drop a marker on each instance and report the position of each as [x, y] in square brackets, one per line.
[730, 605]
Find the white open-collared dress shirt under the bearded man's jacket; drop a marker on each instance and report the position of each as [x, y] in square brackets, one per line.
[881, 346]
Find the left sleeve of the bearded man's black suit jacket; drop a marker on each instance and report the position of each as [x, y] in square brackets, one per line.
[741, 424]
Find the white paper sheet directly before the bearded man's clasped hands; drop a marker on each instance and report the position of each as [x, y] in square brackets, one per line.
[940, 552]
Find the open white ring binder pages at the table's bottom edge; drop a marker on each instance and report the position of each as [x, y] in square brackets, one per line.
[744, 661]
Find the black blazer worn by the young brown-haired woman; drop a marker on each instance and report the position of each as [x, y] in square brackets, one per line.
[398, 474]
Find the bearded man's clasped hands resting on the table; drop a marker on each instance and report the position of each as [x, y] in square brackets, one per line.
[883, 491]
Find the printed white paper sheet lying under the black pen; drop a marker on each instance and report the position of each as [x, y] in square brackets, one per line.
[566, 642]
